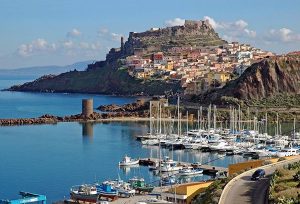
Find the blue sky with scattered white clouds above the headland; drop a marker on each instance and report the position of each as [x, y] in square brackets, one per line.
[61, 32]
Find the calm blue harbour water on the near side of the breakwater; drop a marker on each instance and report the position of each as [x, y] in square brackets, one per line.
[48, 159]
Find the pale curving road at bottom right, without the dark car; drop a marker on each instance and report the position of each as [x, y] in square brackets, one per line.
[242, 190]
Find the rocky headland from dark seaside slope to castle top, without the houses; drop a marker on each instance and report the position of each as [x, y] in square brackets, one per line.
[105, 77]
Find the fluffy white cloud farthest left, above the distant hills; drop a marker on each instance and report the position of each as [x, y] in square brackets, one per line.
[37, 46]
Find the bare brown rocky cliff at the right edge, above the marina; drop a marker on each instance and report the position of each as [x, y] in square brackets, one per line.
[267, 78]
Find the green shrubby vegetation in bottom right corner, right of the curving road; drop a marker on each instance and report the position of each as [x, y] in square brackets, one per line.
[285, 185]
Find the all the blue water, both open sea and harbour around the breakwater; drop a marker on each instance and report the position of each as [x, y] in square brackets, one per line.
[49, 159]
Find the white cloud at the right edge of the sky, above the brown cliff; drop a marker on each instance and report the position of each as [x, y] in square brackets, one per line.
[284, 35]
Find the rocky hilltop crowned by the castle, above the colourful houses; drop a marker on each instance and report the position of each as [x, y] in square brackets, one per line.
[192, 33]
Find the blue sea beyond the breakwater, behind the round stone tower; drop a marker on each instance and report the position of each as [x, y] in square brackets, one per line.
[18, 104]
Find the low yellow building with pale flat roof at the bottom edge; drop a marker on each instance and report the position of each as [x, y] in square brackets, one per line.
[185, 193]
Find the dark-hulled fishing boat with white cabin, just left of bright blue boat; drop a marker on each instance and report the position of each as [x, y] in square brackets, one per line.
[85, 193]
